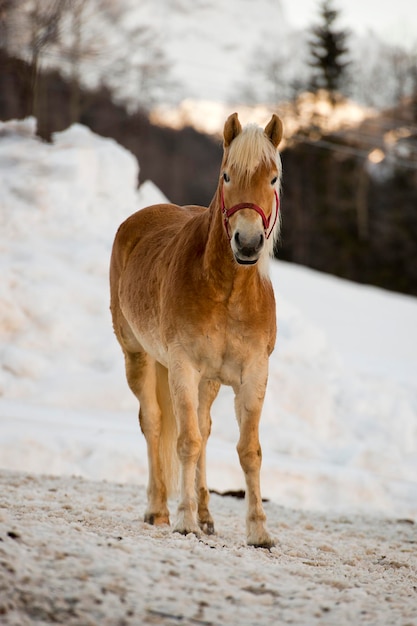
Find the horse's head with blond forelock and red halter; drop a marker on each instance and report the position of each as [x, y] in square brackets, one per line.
[249, 183]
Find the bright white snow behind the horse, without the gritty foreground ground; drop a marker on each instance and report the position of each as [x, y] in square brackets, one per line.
[339, 427]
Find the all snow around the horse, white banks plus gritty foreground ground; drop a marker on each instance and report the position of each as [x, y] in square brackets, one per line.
[339, 429]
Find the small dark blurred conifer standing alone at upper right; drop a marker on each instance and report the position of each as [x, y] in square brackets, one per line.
[328, 51]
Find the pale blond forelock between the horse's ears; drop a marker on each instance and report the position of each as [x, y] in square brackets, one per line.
[250, 149]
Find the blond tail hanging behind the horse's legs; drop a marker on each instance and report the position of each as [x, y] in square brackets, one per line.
[169, 433]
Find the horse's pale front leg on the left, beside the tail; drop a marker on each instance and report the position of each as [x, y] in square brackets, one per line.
[184, 384]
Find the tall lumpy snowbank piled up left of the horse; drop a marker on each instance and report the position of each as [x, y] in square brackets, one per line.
[60, 207]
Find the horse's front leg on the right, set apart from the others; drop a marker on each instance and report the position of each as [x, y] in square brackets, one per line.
[249, 401]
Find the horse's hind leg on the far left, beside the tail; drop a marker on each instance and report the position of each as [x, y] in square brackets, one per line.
[141, 377]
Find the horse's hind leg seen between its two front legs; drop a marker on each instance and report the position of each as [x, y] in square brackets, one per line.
[208, 391]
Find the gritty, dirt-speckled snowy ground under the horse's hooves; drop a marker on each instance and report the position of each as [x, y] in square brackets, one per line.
[75, 552]
